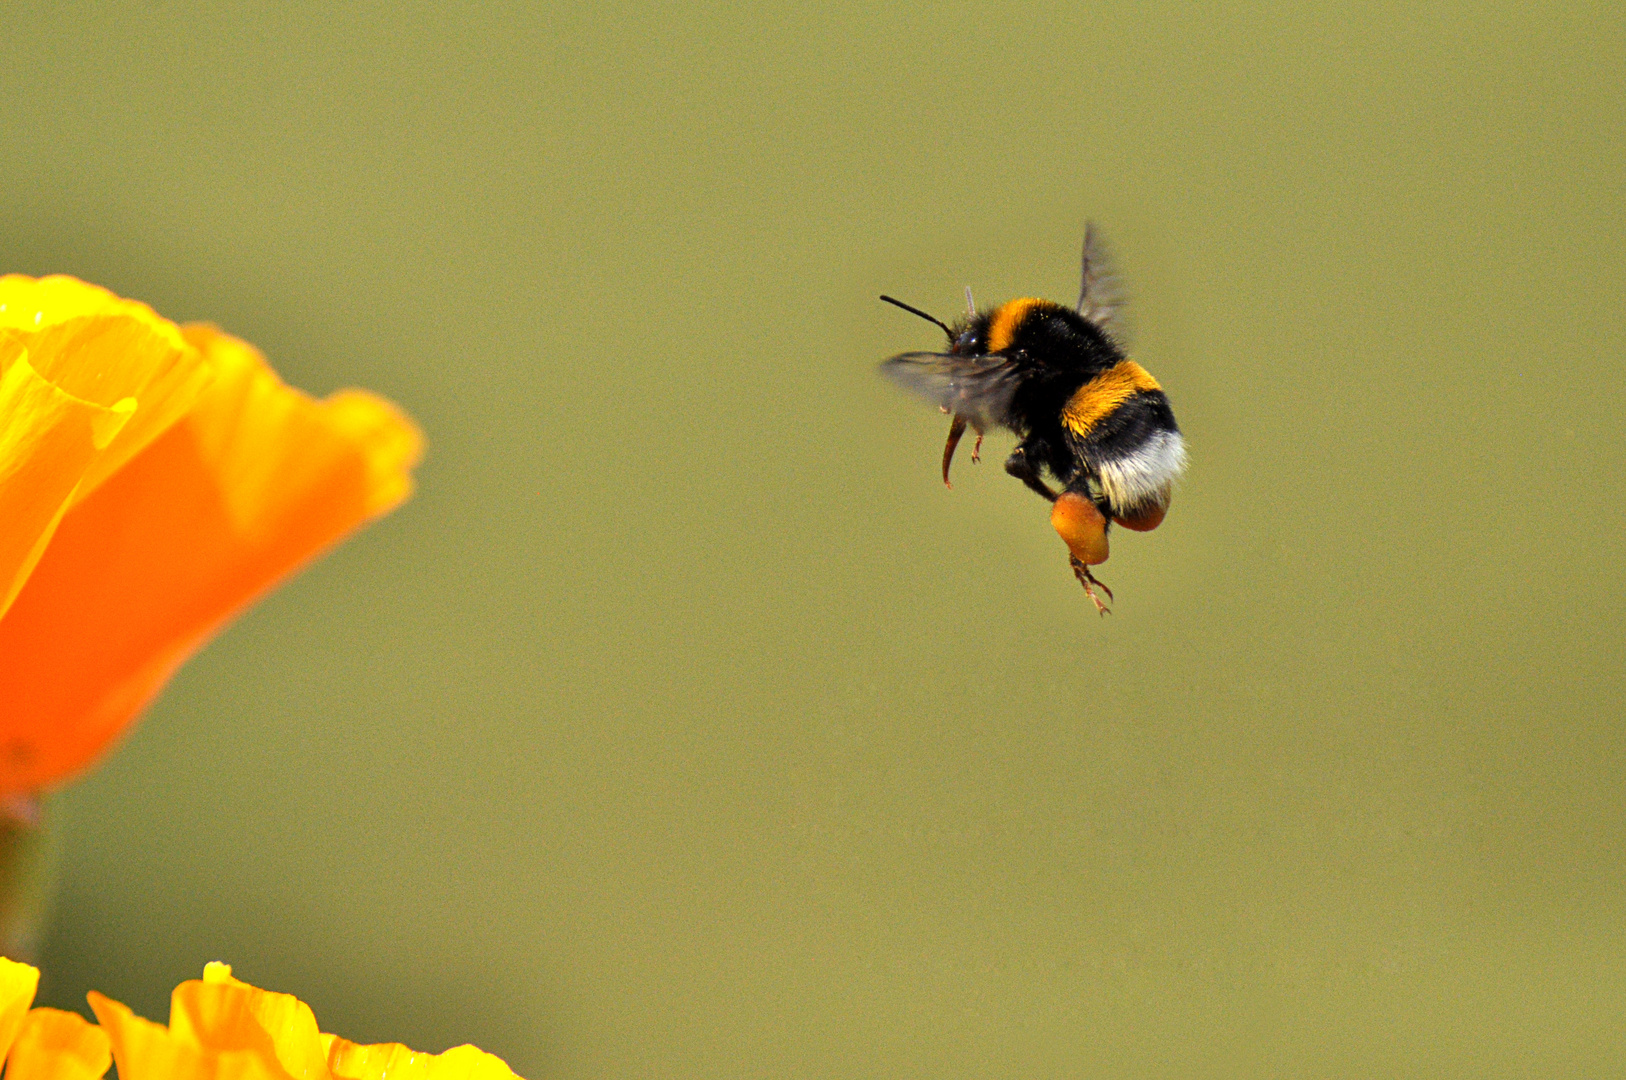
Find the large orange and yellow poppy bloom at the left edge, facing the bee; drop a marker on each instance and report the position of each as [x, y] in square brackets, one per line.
[154, 482]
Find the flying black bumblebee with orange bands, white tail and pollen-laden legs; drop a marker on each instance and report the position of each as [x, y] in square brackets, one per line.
[1085, 414]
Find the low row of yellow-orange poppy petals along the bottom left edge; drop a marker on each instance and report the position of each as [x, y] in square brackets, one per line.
[219, 1030]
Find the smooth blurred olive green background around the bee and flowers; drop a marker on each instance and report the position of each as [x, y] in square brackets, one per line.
[685, 726]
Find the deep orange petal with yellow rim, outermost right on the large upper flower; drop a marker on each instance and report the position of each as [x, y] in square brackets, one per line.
[248, 487]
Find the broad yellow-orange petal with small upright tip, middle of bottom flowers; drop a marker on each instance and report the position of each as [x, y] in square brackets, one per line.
[235, 1017]
